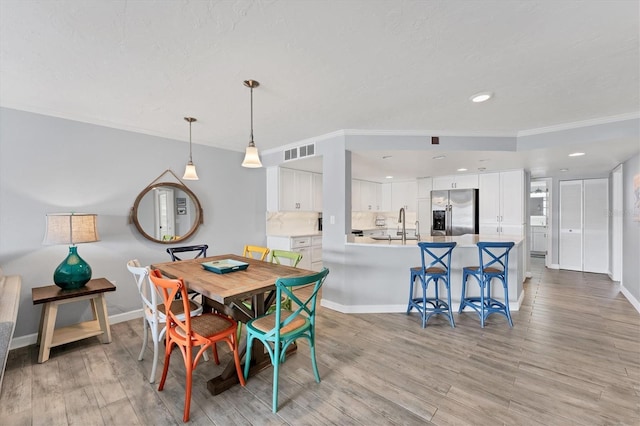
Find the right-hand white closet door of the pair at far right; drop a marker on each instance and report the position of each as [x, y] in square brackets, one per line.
[596, 226]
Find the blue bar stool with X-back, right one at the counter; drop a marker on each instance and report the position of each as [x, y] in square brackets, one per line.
[496, 266]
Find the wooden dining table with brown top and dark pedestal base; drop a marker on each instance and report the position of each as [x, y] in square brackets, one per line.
[228, 293]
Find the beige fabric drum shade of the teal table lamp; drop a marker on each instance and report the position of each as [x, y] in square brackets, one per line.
[71, 228]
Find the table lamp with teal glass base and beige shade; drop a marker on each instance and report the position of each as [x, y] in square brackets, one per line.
[71, 228]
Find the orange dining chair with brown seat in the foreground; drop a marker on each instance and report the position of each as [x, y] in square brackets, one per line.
[204, 330]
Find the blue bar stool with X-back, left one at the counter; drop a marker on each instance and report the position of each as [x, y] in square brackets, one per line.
[438, 269]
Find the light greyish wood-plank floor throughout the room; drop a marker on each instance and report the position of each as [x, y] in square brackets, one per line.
[573, 358]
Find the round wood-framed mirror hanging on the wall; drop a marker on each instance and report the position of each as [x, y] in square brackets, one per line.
[166, 213]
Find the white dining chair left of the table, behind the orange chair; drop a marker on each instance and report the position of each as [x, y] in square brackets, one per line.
[154, 313]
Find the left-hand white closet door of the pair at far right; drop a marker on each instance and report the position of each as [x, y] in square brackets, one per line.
[571, 225]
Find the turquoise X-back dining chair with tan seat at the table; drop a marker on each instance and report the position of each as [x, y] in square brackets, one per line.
[279, 329]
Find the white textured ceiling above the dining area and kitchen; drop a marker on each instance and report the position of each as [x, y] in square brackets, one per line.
[329, 65]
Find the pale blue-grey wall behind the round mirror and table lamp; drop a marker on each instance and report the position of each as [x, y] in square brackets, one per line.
[49, 164]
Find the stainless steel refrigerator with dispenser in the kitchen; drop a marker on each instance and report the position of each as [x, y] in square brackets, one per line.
[454, 212]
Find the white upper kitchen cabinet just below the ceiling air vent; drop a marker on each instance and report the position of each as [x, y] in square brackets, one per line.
[292, 190]
